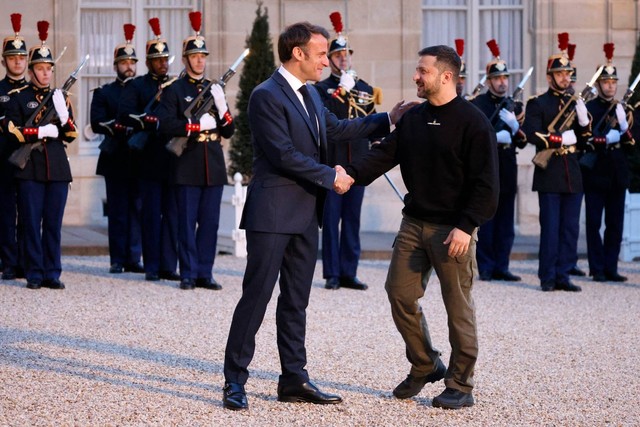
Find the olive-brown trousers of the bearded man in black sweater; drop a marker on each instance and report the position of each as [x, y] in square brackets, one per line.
[418, 250]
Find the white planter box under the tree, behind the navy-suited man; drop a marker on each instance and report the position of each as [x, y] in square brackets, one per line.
[231, 239]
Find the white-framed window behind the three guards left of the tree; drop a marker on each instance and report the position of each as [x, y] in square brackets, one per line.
[101, 24]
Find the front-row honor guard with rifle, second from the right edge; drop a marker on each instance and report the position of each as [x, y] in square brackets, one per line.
[559, 181]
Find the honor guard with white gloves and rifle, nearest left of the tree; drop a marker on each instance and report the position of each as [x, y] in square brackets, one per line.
[200, 172]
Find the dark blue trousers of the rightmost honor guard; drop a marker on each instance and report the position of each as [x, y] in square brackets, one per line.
[603, 256]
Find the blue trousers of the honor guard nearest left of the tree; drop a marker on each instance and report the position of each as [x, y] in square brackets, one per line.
[198, 221]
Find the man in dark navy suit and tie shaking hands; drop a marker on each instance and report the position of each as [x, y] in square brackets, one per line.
[290, 129]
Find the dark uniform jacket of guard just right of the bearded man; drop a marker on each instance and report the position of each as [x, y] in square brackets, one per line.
[507, 165]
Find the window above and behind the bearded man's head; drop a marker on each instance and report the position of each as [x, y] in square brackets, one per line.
[477, 22]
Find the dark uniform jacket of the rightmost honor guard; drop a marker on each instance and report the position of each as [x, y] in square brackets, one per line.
[610, 170]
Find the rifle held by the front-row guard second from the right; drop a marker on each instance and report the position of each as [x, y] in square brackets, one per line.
[563, 121]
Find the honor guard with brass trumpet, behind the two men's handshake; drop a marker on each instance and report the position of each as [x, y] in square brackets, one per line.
[348, 97]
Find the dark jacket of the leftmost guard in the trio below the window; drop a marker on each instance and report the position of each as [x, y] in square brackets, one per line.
[114, 150]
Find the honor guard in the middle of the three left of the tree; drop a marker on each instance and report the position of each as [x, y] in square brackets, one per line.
[158, 217]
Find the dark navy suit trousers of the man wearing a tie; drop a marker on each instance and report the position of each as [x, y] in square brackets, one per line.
[293, 257]
